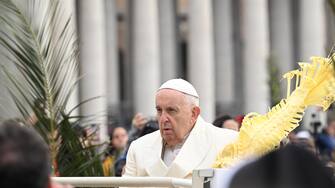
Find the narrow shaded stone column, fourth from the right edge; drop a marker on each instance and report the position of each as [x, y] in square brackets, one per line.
[224, 56]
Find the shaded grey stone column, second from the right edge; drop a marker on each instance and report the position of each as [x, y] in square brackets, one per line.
[281, 37]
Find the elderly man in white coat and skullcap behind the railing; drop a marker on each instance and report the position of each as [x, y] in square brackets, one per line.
[184, 141]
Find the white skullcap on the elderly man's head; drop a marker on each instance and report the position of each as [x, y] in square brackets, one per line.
[180, 85]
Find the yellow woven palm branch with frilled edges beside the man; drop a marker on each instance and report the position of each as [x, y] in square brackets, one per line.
[259, 134]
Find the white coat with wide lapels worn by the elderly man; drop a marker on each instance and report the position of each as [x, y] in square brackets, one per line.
[198, 152]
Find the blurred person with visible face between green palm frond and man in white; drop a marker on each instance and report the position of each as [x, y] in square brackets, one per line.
[118, 143]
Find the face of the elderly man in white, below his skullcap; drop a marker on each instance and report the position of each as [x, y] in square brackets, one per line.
[175, 114]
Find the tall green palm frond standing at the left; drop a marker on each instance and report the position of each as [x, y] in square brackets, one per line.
[43, 48]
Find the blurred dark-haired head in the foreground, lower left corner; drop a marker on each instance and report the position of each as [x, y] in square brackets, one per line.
[24, 158]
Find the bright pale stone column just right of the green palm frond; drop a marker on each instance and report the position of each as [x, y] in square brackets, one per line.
[92, 36]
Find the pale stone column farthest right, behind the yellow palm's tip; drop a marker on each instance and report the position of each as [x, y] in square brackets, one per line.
[312, 42]
